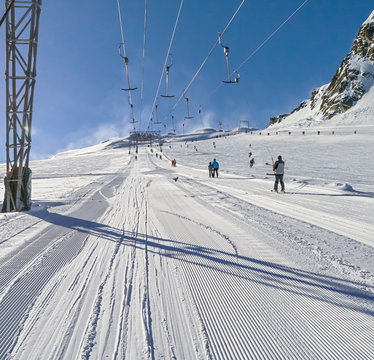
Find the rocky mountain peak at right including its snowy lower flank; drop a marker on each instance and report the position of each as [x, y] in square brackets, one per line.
[353, 79]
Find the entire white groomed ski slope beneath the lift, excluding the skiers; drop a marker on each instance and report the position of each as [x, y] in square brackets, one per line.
[116, 260]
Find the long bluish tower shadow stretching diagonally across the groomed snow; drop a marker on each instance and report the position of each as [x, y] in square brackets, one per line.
[303, 283]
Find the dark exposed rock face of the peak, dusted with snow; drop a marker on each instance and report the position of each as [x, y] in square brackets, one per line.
[351, 81]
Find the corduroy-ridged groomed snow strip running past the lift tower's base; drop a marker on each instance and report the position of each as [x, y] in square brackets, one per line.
[51, 254]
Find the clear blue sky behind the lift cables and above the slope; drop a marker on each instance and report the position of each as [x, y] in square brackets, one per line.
[78, 97]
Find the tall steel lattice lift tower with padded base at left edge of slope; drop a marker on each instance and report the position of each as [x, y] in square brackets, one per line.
[22, 26]
